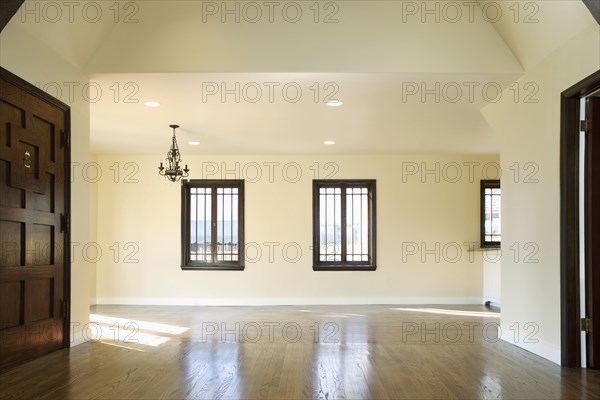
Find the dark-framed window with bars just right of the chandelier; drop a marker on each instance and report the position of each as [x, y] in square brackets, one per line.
[212, 220]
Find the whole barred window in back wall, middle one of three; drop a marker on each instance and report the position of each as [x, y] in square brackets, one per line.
[344, 225]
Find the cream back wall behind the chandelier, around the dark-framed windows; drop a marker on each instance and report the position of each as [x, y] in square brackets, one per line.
[413, 210]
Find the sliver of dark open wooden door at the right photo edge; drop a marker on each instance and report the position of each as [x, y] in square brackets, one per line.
[592, 230]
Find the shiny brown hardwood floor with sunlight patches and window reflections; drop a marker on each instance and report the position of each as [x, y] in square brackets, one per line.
[293, 352]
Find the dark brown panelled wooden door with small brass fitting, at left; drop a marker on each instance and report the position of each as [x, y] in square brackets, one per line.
[34, 206]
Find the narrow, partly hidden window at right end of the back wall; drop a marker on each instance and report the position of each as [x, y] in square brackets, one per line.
[490, 213]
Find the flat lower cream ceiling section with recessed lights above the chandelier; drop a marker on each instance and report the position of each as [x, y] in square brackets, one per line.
[278, 113]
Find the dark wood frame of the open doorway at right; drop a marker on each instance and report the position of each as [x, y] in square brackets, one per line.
[569, 218]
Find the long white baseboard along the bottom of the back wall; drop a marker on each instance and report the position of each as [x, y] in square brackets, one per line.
[186, 301]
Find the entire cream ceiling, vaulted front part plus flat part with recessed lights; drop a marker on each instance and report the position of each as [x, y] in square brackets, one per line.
[174, 51]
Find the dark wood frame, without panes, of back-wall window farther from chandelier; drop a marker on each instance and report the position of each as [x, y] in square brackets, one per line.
[343, 184]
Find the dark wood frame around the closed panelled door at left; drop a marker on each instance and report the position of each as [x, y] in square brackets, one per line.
[43, 96]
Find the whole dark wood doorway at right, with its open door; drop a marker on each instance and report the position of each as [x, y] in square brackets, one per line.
[580, 216]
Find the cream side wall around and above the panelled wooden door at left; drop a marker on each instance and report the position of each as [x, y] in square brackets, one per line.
[32, 61]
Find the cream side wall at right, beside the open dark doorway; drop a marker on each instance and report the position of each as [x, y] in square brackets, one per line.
[530, 133]
